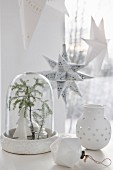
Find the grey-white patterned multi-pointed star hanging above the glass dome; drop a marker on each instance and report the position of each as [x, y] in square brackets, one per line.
[65, 74]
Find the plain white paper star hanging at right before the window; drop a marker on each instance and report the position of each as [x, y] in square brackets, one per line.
[97, 44]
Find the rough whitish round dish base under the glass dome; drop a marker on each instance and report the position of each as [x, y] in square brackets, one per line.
[28, 146]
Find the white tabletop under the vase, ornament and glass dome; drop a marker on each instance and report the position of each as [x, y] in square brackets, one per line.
[45, 161]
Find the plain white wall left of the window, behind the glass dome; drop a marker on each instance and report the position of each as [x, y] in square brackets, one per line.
[47, 40]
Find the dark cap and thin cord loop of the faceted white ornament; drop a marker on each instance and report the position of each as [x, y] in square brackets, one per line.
[85, 157]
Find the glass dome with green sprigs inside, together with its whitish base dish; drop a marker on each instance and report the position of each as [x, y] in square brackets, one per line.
[29, 125]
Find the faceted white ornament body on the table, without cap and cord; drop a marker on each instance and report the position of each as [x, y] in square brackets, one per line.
[66, 151]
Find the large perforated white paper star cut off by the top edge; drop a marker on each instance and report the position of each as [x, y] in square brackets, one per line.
[30, 11]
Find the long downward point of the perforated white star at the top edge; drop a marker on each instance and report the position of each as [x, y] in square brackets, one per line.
[30, 11]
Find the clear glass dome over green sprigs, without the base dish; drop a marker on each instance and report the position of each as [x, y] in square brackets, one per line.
[29, 110]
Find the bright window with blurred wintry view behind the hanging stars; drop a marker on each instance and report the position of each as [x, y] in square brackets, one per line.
[98, 90]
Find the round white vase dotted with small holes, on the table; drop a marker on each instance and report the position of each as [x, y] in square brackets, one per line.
[93, 128]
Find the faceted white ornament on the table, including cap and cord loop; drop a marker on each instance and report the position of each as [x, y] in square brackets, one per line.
[67, 151]
